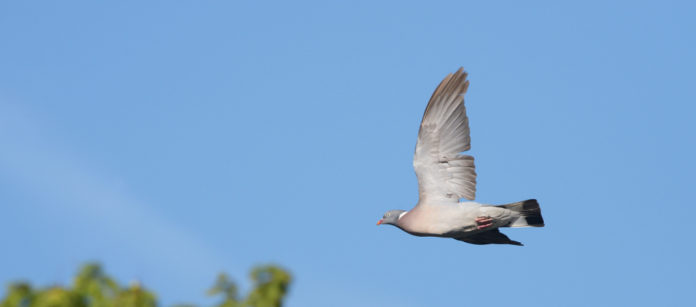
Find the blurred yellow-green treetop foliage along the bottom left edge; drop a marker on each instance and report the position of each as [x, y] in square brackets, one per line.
[93, 288]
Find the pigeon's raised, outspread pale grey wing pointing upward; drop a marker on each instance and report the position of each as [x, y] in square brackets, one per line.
[444, 174]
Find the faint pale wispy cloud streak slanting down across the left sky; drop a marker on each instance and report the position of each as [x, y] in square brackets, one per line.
[31, 156]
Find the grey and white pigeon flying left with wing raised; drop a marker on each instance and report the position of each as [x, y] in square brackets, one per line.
[445, 175]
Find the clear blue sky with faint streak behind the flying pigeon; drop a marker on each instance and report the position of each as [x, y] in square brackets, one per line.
[171, 141]
